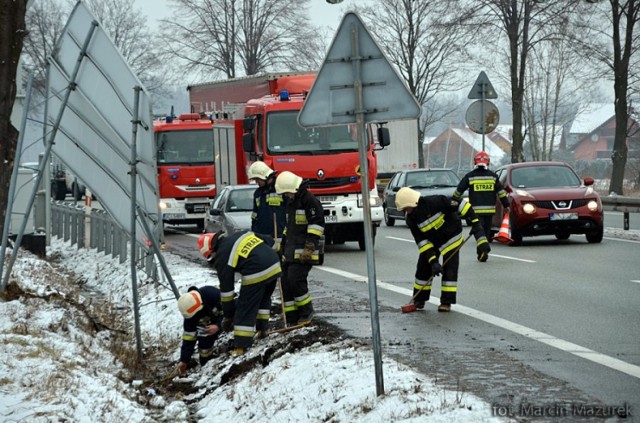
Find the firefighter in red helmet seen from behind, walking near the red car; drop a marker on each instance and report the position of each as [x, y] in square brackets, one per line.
[484, 187]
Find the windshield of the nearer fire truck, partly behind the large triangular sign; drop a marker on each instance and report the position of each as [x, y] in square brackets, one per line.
[285, 136]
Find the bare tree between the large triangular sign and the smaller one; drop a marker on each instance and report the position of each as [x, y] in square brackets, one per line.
[425, 41]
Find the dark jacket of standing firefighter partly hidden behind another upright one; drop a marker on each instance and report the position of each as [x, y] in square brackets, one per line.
[267, 204]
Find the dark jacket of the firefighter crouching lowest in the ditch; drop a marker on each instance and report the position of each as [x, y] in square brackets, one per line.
[211, 314]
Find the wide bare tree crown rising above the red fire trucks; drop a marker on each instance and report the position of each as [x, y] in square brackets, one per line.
[220, 36]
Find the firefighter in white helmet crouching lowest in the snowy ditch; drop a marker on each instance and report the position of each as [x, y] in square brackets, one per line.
[202, 312]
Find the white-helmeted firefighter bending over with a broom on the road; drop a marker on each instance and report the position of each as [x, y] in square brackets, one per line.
[437, 230]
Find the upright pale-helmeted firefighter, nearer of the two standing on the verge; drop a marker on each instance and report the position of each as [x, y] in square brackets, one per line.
[303, 245]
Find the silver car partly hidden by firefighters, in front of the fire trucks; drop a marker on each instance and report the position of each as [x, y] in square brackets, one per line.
[231, 209]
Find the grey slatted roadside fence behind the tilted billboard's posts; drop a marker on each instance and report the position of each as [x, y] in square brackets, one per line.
[71, 223]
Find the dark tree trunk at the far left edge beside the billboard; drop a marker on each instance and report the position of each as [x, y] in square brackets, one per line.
[12, 33]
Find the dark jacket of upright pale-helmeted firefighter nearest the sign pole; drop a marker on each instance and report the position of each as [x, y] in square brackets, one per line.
[305, 224]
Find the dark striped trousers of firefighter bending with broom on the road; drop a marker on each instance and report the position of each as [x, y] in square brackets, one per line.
[449, 284]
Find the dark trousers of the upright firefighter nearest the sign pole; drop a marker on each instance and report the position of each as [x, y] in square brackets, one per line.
[295, 290]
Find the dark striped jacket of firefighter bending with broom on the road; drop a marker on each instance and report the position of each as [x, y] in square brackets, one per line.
[436, 226]
